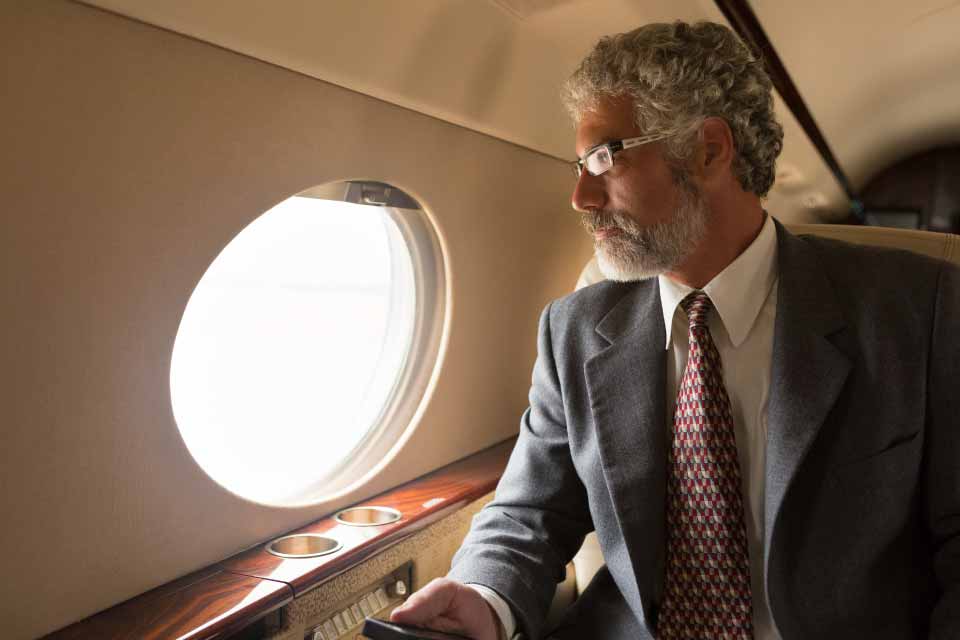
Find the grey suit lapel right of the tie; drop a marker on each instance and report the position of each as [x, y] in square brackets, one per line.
[808, 371]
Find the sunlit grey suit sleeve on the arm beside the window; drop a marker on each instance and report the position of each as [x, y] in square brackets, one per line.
[520, 543]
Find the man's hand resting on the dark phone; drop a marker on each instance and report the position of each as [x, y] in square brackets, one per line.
[447, 605]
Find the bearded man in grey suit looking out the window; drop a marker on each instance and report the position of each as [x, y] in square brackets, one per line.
[762, 429]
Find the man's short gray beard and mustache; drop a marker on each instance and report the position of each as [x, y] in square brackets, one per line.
[638, 253]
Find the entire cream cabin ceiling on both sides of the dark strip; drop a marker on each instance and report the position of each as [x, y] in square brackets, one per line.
[877, 80]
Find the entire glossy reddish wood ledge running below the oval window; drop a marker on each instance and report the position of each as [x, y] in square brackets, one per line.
[224, 598]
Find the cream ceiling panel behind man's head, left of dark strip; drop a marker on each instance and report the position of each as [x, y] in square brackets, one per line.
[494, 67]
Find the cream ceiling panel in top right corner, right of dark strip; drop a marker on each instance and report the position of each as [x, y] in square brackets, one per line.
[879, 77]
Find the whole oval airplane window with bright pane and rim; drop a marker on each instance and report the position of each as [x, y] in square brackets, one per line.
[307, 347]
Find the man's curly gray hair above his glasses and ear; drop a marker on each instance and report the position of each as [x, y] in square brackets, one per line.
[678, 75]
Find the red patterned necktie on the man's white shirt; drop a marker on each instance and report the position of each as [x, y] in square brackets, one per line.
[707, 591]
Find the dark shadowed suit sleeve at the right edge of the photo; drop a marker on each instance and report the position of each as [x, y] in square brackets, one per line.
[942, 470]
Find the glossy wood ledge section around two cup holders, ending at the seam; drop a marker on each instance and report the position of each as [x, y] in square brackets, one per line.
[420, 503]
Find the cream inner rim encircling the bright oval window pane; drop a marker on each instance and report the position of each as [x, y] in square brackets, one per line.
[415, 246]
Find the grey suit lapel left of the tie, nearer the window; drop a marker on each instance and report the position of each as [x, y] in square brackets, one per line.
[625, 383]
